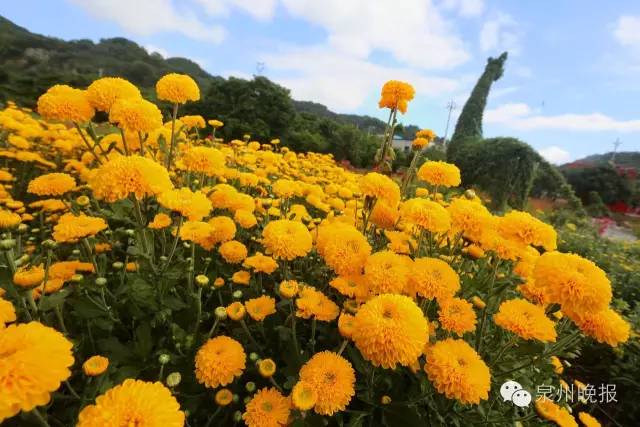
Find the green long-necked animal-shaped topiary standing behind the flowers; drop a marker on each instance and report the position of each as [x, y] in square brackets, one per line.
[505, 168]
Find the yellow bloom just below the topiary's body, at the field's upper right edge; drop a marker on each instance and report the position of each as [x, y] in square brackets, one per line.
[528, 230]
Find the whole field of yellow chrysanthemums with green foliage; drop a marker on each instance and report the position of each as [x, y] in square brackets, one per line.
[155, 275]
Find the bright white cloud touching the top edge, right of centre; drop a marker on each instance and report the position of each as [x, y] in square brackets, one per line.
[412, 31]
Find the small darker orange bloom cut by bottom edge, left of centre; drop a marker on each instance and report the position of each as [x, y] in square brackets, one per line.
[267, 408]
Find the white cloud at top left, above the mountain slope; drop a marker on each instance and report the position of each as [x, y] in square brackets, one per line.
[147, 17]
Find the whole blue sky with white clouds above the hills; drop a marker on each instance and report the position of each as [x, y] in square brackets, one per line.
[570, 87]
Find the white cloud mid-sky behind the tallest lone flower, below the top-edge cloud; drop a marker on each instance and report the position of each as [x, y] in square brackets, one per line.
[341, 81]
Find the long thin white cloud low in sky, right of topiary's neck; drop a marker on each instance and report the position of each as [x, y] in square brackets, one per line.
[522, 117]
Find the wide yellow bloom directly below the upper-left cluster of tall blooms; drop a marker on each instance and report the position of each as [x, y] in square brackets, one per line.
[125, 175]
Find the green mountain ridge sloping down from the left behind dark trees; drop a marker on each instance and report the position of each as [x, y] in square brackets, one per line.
[31, 63]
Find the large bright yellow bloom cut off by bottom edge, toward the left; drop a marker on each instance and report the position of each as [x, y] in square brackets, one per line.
[134, 402]
